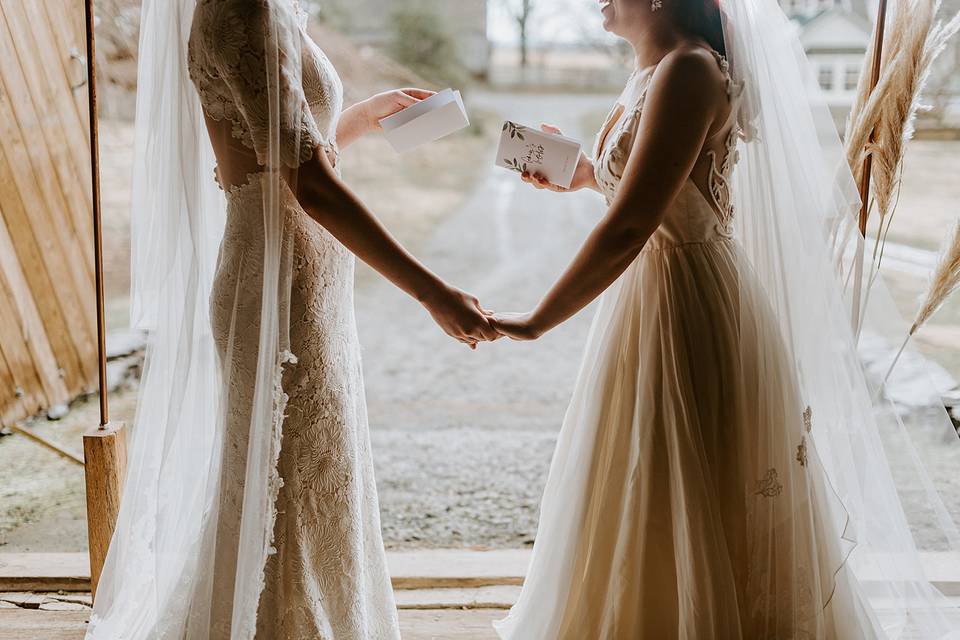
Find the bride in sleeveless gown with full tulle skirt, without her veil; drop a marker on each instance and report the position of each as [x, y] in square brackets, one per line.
[686, 498]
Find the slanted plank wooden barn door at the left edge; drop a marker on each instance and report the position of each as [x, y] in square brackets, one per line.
[48, 339]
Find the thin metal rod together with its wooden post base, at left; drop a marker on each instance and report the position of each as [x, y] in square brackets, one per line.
[104, 448]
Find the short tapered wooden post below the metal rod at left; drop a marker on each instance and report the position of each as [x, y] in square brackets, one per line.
[105, 455]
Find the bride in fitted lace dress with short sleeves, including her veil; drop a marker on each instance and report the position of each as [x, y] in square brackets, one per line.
[255, 516]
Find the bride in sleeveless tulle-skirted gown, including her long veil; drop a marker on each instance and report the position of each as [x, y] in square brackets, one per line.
[688, 496]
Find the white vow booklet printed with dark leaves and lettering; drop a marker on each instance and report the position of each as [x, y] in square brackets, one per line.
[552, 156]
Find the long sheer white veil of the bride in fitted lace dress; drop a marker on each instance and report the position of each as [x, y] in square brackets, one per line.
[157, 579]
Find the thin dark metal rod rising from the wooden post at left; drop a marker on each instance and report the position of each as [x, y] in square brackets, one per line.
[97, 219]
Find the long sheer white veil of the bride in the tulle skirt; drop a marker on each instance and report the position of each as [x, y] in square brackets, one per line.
[797, 211]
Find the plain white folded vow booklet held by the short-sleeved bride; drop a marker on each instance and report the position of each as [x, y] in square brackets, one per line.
[428, 120]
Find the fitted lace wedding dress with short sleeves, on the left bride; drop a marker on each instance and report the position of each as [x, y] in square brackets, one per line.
[326, 576]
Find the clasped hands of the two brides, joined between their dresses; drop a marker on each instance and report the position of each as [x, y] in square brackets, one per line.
[463, 318]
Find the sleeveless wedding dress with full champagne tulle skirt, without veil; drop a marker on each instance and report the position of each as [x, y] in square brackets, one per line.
[685, 499]
